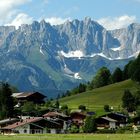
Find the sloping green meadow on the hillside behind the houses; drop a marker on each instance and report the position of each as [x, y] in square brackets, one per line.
[97, 98]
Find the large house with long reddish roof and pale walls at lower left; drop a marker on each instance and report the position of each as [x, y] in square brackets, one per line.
[34, 125]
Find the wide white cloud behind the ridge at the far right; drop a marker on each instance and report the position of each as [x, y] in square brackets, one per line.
[117, 22]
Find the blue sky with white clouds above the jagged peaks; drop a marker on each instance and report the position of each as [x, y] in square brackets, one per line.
[110, 13]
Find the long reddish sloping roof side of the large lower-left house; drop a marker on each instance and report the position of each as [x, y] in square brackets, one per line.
[23, 122]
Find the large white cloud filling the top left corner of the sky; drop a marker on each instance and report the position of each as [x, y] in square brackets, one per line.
[8, 8]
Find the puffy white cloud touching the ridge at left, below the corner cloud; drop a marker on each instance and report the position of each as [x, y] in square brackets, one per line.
[21, 18]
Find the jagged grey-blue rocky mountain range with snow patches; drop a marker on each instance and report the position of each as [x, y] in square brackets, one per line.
[53, 59]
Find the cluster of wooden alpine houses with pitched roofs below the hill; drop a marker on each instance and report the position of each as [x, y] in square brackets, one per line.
[55, 121]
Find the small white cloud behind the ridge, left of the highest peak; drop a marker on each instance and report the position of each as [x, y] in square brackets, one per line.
[56, 20]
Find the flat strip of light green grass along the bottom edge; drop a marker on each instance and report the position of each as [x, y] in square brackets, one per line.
[73, 137]
